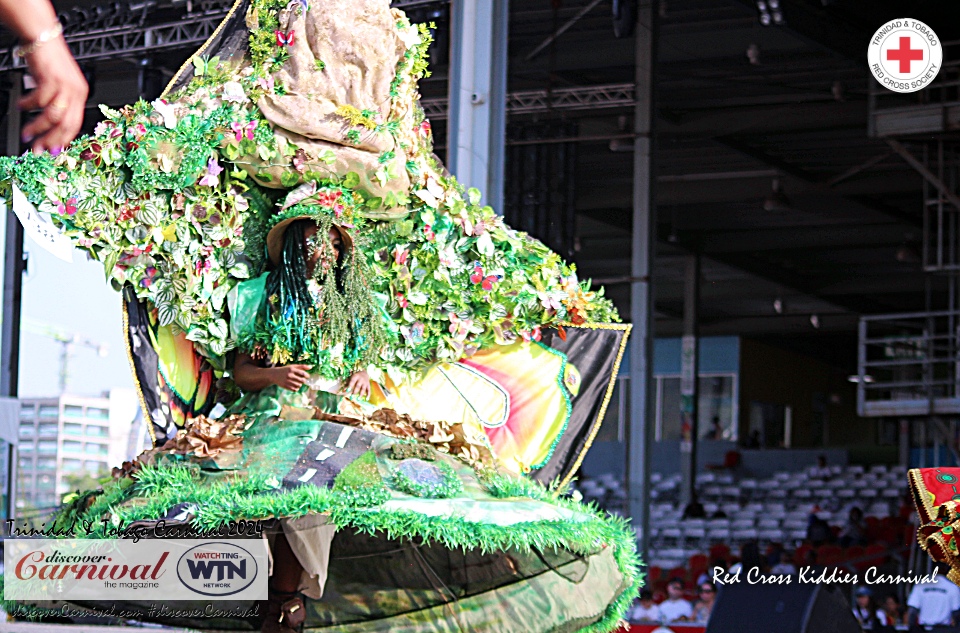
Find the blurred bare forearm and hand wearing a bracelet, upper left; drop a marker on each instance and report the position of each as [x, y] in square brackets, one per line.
[61, 91]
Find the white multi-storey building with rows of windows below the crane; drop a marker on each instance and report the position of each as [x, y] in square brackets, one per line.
[67, 439]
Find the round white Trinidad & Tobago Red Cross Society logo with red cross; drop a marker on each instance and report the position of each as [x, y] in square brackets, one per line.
[905, 55]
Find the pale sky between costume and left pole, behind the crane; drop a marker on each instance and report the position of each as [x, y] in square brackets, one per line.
[75, 299]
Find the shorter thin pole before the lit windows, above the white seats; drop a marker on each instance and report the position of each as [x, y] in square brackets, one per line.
[689, 381]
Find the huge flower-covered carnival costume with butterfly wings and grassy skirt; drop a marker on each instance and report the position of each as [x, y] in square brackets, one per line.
[492, 364]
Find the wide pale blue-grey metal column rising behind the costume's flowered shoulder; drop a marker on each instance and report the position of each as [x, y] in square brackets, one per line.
[476, 127]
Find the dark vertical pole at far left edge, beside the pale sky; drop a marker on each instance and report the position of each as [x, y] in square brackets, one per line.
[12, 286]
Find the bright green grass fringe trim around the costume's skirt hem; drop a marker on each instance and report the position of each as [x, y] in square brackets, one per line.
[162, 487]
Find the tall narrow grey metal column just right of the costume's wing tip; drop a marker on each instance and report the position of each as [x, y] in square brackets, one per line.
[640, 429]
